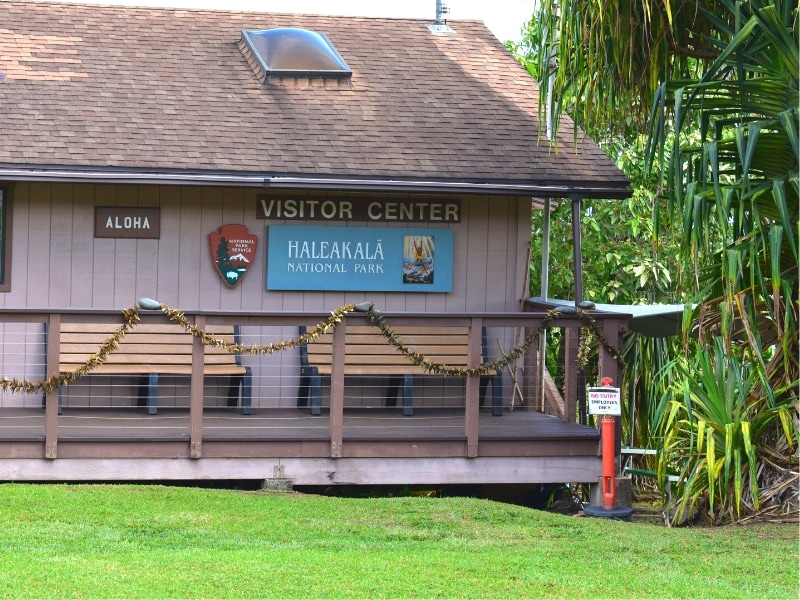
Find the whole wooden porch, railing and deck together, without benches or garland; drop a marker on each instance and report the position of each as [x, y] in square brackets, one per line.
[452, 440]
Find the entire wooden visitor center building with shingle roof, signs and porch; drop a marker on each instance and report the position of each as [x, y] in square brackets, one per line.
[174, 182]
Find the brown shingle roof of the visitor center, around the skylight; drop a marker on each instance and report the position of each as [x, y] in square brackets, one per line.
[152, 90]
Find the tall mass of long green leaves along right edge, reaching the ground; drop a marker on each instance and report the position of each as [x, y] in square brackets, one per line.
[735, 189]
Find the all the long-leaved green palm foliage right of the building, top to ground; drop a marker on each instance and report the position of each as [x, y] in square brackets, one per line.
[722, 79]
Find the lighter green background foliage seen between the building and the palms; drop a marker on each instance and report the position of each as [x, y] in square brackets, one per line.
[629, 258]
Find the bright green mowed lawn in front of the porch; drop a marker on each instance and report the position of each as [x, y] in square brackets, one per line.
[144, 541]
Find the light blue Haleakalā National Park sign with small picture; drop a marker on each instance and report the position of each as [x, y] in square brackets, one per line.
[381, 259]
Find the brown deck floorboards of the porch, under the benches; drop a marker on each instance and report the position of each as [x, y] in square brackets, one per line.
[372, 424]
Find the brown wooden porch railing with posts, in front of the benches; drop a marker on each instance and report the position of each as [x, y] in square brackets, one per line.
[510, 327]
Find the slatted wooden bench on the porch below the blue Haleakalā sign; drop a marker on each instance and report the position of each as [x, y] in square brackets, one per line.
[367, 353]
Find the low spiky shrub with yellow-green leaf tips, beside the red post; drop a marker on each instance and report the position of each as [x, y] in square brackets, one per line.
[720, 410]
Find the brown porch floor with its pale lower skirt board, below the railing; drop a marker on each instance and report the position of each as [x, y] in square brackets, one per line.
[379, 447]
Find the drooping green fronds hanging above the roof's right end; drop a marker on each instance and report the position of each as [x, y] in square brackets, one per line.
[608, 59]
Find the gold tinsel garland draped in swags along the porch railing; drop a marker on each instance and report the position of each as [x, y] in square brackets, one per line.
[374, 316]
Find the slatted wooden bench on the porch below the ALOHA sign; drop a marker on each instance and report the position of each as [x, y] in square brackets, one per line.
[150, 350]
